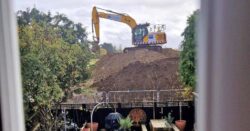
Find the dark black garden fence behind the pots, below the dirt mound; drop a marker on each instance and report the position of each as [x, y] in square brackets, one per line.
[80, 116]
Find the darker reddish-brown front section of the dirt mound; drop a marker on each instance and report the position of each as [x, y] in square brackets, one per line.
[156, 75]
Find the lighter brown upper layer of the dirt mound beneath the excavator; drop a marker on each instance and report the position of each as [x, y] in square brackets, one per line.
[112, 64]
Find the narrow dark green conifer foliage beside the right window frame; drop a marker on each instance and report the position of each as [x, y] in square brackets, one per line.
[188, 54]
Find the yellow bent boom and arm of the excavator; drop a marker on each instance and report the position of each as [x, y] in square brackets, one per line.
[111, 15]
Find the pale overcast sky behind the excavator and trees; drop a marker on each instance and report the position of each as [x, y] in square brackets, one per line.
[172, 13]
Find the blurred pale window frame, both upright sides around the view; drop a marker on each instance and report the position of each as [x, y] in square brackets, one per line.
[223, 84]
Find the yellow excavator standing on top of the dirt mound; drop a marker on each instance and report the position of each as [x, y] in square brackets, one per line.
[141, 36]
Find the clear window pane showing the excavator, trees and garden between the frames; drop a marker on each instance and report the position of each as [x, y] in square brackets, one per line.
[66, 74]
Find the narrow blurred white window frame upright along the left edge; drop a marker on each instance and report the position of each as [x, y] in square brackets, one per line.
[10, 80]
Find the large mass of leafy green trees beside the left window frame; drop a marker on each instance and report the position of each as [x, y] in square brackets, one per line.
[54, 57]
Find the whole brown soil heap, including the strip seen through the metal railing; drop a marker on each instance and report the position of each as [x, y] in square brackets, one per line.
[138, 70]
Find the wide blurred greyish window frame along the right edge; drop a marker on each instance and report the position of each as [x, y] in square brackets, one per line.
[224, 66]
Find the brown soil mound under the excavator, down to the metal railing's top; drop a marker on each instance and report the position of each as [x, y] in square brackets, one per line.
[139, 70]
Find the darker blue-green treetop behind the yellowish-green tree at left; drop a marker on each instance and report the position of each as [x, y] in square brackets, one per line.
[66, 29]
